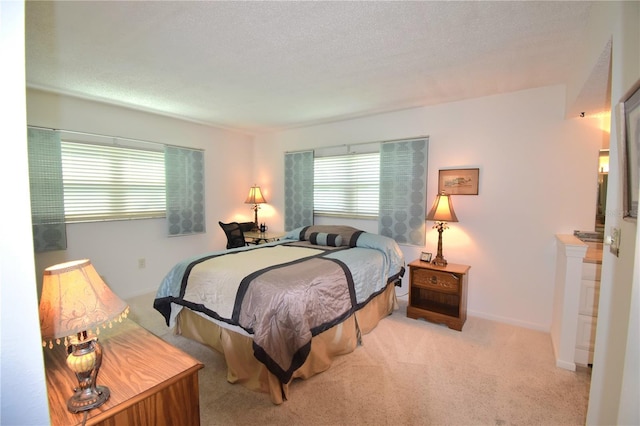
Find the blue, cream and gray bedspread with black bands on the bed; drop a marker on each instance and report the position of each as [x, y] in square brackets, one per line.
[284, 293]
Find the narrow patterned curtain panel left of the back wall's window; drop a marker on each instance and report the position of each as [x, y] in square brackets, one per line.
[298, 189]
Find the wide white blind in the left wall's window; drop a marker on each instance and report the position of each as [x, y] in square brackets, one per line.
[103, 182]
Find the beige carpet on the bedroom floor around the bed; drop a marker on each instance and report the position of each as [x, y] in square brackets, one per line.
[408, 372]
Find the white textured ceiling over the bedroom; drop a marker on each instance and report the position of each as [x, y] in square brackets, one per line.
[259, 66]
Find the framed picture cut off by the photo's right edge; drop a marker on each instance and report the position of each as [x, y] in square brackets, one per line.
[630, 134]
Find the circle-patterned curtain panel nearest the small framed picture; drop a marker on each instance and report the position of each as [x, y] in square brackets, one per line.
[403, 191]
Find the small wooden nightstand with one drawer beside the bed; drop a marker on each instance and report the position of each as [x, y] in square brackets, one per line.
[438, 293]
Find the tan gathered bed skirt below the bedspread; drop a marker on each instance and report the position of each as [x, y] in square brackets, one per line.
[245, 369]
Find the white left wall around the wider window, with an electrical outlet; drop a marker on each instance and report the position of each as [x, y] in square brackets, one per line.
[115, 247]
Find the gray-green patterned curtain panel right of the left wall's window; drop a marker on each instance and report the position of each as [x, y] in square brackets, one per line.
[184, 170]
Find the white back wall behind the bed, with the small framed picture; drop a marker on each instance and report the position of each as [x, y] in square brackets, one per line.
[538, 177]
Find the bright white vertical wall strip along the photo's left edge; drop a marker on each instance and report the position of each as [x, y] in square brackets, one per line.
[23, 396]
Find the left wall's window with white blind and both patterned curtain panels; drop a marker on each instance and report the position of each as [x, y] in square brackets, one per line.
[155, 181]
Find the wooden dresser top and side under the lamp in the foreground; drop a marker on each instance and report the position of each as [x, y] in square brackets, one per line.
[151, 382]
